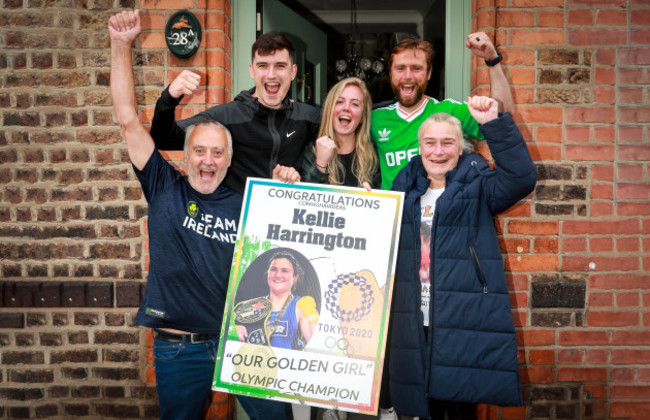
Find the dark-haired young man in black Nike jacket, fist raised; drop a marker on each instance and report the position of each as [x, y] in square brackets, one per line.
[267, 127]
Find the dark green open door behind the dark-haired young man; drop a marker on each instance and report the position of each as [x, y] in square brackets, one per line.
[310, 84]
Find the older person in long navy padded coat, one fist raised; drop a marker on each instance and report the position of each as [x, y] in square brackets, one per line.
[453, 340]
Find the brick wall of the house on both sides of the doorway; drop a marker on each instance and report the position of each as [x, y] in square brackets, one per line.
[72, 234]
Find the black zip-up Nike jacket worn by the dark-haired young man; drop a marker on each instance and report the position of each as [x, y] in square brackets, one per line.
[262, 137]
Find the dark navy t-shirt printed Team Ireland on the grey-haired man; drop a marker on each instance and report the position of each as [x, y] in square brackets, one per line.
[191, 243]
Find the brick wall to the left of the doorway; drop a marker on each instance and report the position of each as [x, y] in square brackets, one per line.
[72, 229]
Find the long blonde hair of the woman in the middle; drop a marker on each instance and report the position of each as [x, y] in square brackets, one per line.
[365, 161]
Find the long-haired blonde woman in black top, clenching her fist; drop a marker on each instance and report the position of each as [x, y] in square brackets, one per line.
[343, 153]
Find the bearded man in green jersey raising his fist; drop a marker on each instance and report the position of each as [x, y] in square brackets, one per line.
[394, 127]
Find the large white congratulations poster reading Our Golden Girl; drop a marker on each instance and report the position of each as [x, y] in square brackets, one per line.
[308, 302]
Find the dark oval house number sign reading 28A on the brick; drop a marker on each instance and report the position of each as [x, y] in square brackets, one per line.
[183, 34]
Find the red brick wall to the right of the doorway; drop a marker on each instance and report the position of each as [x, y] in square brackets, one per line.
[577, 250]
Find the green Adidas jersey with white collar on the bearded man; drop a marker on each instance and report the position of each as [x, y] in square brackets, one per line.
[395, 133]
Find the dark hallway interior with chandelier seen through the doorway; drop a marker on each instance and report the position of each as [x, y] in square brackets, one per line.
[371, 33]
